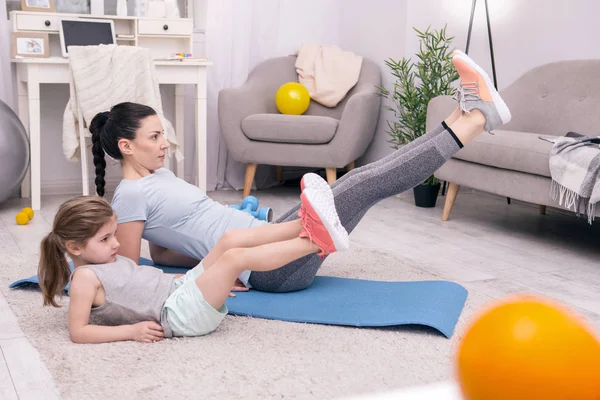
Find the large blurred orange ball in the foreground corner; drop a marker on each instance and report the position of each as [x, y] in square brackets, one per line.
[527, 348]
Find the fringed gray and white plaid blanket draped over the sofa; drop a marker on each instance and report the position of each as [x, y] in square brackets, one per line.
[575, 170]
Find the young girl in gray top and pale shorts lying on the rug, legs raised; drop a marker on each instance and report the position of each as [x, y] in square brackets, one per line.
[132, 302]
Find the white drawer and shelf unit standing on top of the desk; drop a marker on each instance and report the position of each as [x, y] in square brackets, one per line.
[163, 36]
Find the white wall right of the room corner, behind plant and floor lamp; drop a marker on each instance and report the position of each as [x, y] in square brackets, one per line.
[525, 34]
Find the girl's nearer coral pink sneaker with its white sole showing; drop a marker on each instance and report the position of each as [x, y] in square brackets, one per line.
[321, 222]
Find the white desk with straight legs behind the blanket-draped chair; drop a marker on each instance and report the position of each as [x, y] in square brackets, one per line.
[32, 72]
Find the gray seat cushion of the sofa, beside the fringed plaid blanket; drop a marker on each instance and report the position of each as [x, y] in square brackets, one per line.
[517, 151]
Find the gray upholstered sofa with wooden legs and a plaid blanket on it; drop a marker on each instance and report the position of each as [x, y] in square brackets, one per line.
[552, 99]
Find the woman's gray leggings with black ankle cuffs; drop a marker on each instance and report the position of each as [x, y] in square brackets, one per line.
[359, 190]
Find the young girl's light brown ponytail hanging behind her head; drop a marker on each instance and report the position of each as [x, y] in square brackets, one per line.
[53, 270]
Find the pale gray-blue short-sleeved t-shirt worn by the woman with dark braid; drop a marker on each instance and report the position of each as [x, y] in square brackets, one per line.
[178, 216]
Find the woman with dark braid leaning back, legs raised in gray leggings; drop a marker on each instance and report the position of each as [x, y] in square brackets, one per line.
[182, 223]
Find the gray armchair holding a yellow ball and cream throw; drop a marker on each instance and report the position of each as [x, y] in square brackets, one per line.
[256, 133]
